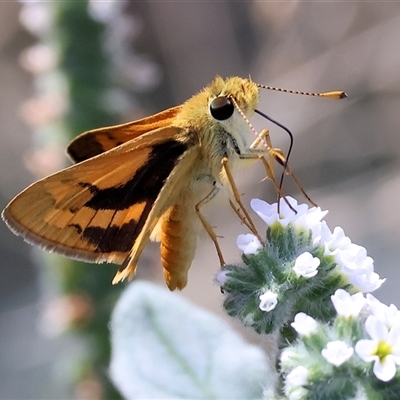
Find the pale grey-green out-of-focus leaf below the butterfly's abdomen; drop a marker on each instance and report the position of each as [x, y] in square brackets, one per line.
[163, 347]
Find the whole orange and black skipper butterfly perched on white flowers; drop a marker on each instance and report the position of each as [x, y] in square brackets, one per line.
[148, 179]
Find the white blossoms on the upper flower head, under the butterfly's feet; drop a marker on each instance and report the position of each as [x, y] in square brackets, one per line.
[352, 261]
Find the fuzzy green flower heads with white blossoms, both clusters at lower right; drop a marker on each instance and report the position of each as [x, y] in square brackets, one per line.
[288, 280]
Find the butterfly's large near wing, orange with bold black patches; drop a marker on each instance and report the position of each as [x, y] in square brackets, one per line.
[95, 210]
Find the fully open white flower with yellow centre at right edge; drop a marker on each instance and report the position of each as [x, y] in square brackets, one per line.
[383, 348]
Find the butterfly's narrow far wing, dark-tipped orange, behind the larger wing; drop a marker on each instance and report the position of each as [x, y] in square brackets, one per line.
[97, 141]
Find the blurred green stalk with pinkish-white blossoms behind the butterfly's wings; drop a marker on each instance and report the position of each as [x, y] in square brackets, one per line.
[75, 92]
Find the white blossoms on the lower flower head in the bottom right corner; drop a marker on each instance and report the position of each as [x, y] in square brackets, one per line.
[382, 347]
